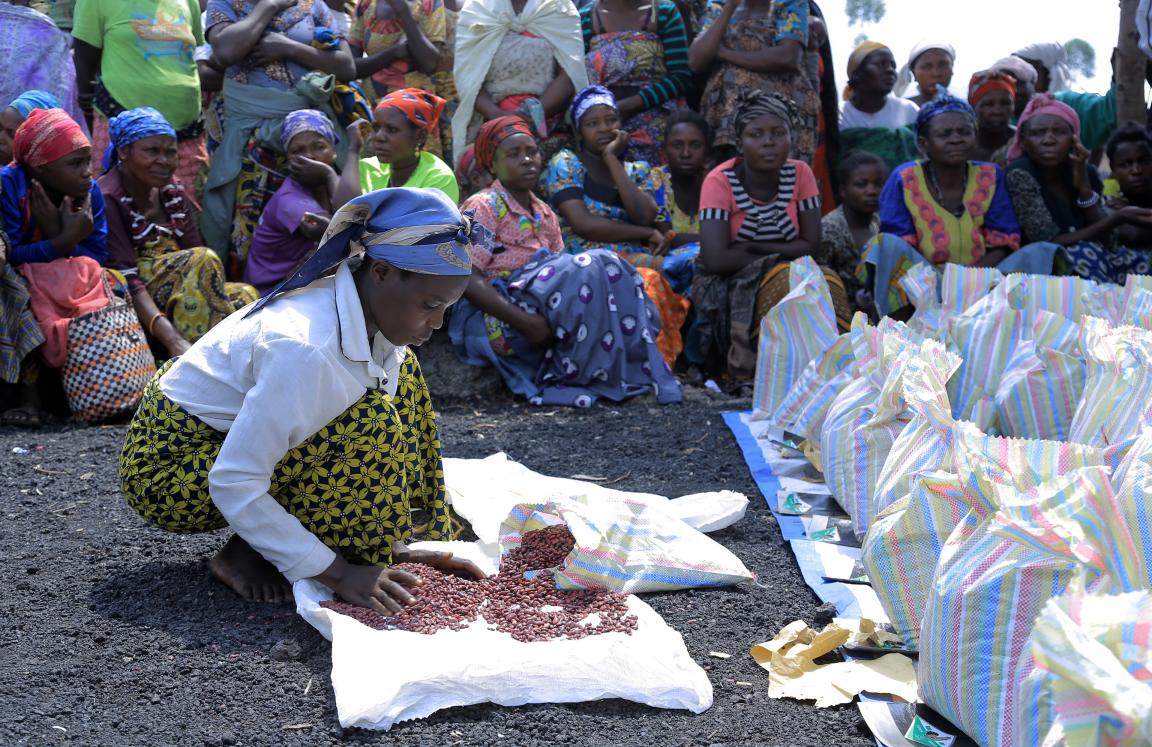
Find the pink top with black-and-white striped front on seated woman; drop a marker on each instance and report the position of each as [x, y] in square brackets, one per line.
[762, 222]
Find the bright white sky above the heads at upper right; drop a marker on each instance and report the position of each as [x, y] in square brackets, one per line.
[983, 32]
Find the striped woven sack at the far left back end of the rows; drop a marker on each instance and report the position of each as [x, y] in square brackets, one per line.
[794, 333]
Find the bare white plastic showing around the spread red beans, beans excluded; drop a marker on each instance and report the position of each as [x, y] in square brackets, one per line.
[384, 677]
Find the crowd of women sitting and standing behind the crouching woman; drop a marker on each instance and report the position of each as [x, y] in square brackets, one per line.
[645, 170]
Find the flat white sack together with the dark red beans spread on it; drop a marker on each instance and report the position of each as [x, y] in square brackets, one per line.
[511, 639]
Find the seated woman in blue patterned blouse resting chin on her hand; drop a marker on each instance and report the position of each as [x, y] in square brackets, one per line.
[609, 203]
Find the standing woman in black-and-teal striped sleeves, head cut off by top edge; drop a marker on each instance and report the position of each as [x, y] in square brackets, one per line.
[640, 52]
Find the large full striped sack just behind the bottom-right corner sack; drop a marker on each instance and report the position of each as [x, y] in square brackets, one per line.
[996, 574]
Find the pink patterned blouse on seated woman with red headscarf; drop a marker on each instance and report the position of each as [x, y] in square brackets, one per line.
[519, 233]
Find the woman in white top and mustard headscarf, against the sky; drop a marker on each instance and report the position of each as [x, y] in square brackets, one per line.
[873, 119]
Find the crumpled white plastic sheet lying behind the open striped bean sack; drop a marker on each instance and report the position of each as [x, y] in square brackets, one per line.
[486, 491]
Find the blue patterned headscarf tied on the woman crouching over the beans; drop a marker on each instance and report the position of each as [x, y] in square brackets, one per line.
[415, 230]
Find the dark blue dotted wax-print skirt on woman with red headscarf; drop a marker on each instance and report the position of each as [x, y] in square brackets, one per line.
[605, 329]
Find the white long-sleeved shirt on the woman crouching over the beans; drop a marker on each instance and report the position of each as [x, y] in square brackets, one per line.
[271, 381]
